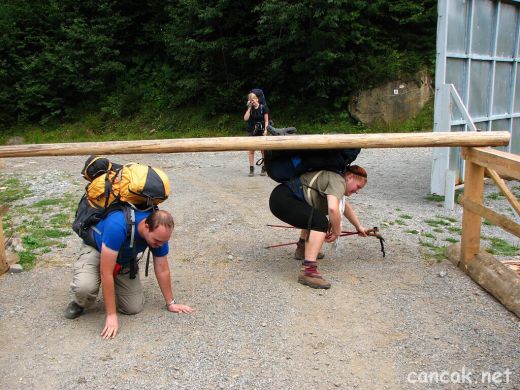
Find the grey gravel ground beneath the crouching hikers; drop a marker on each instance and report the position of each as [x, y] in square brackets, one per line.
[386, 323]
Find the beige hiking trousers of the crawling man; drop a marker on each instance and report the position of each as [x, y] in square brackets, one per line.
[87, 280]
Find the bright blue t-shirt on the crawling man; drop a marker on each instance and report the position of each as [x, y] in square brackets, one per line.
[113, 233]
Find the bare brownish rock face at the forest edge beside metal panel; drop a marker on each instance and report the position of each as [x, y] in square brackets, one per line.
[392, 102]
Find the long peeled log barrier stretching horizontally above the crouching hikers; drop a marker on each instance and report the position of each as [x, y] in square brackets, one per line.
[326, 141]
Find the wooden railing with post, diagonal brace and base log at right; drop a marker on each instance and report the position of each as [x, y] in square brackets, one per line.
[491, 274]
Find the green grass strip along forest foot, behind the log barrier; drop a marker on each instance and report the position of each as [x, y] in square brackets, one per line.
[186, 122]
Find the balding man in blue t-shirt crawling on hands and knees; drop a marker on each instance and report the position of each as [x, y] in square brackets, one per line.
[109, 264]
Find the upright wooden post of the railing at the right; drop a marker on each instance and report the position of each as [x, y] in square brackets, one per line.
[473, 191]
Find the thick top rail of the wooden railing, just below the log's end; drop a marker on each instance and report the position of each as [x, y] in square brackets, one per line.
[505, 164]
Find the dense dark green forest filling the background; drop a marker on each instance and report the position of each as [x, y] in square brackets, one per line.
[62, 58]
